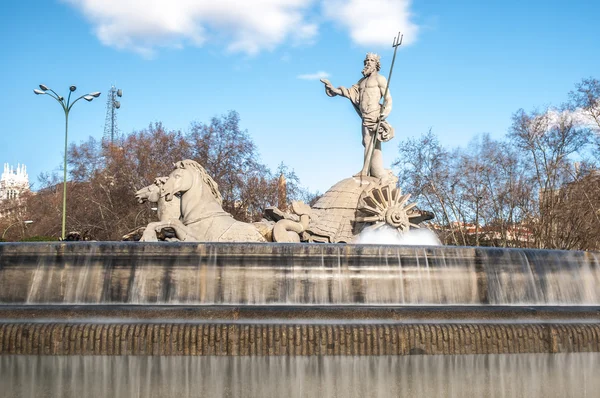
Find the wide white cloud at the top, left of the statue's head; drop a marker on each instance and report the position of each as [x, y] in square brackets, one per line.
[246, 26]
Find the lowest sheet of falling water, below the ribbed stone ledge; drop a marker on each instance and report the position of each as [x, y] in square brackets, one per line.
[464, 376]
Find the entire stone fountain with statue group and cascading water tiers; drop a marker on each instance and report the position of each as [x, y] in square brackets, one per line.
[219, 314]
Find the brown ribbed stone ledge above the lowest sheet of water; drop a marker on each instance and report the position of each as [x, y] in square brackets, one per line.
[222, 339]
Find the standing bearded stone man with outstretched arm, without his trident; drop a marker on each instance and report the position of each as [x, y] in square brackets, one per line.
[365, 96]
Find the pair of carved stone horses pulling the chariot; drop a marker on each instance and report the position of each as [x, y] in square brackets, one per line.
[201, 217]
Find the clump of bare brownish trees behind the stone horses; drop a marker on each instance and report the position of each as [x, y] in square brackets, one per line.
[101, 201]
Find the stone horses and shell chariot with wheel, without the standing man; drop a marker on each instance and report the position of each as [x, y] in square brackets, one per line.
[189, 209]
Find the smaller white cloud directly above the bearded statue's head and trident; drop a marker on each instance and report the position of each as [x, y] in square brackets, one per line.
[373, 22]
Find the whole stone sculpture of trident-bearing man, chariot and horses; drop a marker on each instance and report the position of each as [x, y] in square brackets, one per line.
[189, 201]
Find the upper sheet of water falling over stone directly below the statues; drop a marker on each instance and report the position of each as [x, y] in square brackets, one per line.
[252, 274]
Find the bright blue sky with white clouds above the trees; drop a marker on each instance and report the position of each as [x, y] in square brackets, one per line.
[465, 68]
